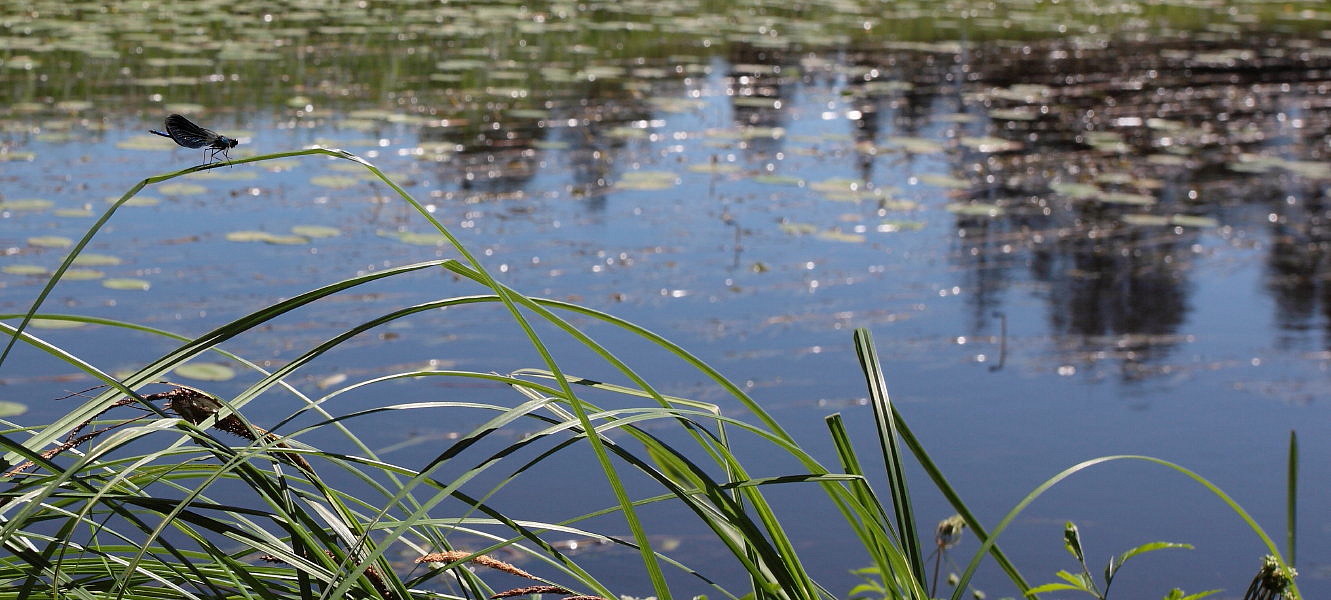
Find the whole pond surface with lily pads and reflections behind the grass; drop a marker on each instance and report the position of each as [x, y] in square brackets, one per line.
[1073, 232]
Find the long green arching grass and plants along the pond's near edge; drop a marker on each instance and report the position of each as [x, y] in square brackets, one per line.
[163, 505]
